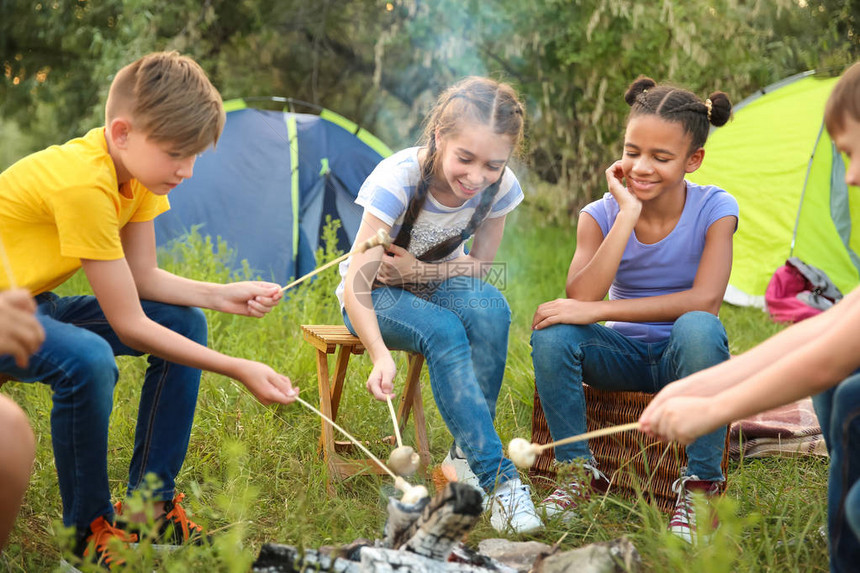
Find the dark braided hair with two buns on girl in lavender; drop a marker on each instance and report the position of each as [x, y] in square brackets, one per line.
[645, 97]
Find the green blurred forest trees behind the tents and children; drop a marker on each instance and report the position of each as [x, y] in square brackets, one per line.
[381, 63]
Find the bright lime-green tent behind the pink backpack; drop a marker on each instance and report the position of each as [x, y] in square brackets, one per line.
[776, 159]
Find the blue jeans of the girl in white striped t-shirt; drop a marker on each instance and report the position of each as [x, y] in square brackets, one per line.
[462, 331]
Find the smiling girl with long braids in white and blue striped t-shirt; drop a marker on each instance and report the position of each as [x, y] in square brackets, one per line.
[426, 294]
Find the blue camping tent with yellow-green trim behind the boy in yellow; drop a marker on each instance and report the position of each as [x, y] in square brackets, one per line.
[267, 188]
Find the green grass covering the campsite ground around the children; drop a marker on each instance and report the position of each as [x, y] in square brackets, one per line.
[253, 474]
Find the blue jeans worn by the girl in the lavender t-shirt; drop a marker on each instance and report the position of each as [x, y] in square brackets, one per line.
[566, 355]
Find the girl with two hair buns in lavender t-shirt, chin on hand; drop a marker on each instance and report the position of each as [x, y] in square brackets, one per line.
[661, 248]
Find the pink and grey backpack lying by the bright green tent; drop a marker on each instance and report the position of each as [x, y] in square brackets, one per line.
[798, 290]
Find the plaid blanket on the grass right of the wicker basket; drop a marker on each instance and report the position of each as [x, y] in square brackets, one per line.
[790, 430]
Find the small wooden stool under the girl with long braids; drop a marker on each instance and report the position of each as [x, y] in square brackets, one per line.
[330, 339]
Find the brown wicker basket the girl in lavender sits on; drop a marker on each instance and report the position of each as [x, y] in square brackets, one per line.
[636, 464]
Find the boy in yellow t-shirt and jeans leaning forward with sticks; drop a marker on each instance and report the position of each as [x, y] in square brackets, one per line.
[90, 203]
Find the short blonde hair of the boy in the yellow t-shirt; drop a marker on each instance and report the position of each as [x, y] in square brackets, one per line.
[170, 98]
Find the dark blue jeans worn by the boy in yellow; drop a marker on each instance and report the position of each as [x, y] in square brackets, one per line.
[77, 361]
